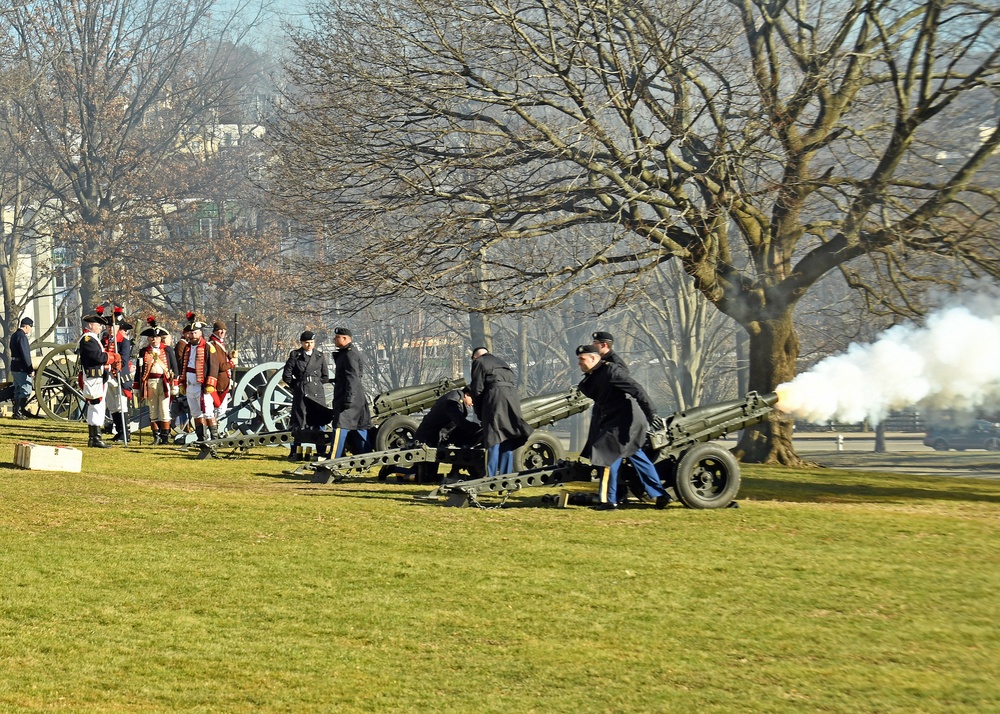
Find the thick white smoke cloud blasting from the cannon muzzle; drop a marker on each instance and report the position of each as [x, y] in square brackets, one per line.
[951, 361]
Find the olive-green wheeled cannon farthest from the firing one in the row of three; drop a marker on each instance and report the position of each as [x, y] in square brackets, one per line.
[392, 425]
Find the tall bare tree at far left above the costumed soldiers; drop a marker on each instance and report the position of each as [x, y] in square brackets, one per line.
[118, 89]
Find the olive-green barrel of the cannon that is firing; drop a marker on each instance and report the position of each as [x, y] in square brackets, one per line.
[710, 422]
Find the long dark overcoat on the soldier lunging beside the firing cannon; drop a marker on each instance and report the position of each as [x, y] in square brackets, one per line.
[621, 415]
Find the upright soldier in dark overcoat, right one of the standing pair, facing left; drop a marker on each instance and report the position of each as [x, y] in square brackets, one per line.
[350, 404]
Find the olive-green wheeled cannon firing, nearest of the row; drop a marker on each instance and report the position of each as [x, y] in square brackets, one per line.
[698, 473]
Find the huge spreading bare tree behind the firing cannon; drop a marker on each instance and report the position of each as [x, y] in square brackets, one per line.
[762, 144]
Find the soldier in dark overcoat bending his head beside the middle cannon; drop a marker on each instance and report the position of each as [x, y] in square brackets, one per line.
[498, 406]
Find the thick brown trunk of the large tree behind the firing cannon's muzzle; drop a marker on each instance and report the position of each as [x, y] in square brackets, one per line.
[774, 351]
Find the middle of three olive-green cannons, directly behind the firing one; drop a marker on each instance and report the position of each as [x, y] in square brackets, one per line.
[542, 448]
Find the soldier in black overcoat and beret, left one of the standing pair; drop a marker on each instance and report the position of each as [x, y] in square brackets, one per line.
[306, 374]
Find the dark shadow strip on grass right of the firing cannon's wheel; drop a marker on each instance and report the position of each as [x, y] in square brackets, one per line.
[829, 491]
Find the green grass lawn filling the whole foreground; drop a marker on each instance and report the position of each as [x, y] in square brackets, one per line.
[156, 583]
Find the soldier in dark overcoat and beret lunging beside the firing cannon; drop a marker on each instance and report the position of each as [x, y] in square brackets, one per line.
[622, 412]
